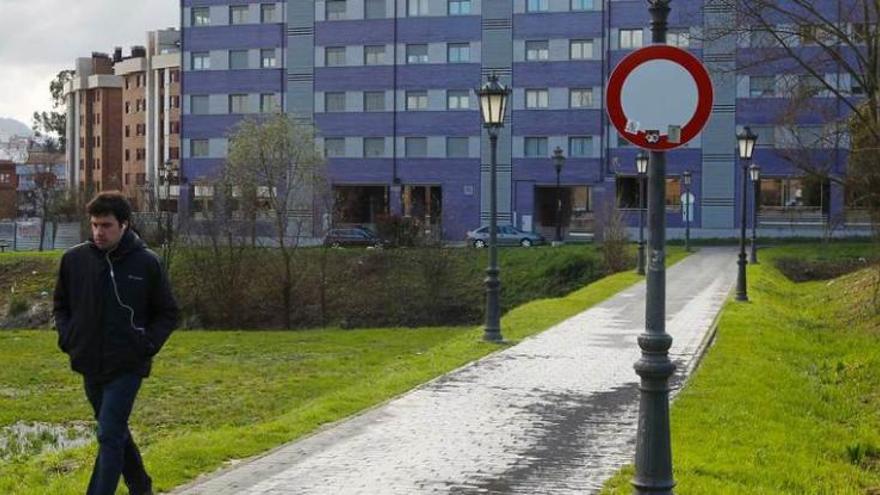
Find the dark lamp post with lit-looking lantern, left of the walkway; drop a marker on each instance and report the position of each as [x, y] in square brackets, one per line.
[493, 106]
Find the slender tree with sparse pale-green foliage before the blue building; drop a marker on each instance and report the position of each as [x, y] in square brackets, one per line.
[278, 158]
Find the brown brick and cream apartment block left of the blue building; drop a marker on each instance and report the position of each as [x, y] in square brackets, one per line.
[124, 118]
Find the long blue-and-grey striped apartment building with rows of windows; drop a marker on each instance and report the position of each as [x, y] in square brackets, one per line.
[390, 86]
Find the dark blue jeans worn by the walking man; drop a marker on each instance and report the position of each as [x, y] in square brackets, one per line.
[117, 453]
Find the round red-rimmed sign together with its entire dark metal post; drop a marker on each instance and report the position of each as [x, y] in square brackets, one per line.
[659, 98]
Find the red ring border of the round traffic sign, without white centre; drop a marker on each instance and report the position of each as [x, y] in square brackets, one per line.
[681, 57]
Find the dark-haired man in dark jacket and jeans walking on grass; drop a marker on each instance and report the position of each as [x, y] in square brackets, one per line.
[113, 310]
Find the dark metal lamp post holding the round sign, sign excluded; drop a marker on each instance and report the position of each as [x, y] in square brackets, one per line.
[653, 470]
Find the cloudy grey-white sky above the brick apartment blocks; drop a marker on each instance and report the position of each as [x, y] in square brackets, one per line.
[39, 38]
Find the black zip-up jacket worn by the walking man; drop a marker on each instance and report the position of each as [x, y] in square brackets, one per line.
[94, 329]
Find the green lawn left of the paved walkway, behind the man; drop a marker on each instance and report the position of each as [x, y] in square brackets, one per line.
[217, 396]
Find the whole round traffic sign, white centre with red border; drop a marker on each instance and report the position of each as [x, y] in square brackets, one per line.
[659, 97]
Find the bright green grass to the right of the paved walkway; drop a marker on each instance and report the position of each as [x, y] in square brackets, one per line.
[787, 401]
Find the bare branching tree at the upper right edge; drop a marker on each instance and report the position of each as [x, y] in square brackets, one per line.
[831, 52]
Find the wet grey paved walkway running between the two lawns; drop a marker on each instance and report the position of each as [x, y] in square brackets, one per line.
[555, 414]
